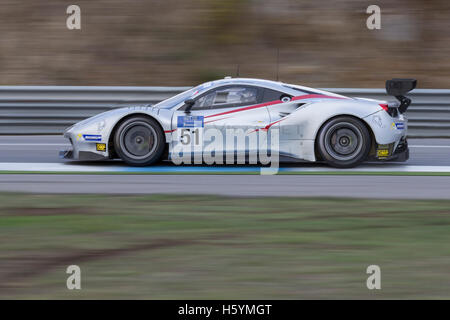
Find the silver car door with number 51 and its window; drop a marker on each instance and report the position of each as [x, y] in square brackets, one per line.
[230, 109]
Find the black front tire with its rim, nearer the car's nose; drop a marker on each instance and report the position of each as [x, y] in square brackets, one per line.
[139, 141]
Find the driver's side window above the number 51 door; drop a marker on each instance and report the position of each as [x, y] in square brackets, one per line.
[227, 97]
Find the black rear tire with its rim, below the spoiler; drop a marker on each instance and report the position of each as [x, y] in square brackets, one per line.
[344, 142]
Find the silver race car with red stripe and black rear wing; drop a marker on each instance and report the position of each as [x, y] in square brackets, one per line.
[313, 125]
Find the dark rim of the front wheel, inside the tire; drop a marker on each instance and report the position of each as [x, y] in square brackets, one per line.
[138, 140]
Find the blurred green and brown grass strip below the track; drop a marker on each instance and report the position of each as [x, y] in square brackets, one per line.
[210, 247]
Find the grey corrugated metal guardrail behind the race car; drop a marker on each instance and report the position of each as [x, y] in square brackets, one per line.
[51, 109]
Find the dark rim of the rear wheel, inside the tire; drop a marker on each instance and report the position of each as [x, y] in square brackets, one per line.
[343, 141]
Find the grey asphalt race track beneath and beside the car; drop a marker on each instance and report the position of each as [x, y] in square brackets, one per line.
[425, 153]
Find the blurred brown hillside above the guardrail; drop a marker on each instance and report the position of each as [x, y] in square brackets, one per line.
[168, 42]
